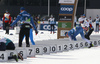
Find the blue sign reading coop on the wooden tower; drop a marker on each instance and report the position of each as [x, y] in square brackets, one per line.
[66, 9]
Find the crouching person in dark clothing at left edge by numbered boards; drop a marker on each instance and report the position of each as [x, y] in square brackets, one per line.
[7, 44]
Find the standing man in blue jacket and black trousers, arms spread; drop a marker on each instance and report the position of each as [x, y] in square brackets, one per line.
[26, 24]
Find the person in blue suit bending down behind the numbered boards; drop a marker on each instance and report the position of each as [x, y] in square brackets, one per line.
[74, 32]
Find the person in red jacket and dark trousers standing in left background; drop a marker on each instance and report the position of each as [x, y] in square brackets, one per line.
[7, 21]
